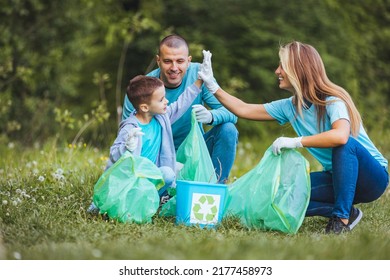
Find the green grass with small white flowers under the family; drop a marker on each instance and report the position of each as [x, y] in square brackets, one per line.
[44, 193]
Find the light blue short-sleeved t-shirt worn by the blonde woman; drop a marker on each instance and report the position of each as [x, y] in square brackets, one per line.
[284, 111]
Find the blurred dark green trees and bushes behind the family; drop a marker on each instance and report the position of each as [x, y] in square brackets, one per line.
[64, 65]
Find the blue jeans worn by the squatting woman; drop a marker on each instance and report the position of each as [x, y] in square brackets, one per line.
[357, 177]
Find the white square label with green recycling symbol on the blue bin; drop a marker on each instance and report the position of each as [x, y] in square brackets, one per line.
[205, 208]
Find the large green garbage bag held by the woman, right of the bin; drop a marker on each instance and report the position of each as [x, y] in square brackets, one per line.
[274, 195]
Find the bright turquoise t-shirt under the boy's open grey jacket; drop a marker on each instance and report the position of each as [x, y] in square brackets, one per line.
[151, 141]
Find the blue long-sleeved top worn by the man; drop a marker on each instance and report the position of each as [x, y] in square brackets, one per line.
[182, 127]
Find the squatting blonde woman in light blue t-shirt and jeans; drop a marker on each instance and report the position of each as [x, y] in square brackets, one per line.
[327, 122]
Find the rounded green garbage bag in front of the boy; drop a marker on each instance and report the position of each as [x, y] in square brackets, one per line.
[128, 190]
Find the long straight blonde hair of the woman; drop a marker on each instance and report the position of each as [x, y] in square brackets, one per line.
[306, 73]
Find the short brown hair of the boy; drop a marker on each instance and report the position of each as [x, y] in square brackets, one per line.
[141, 88]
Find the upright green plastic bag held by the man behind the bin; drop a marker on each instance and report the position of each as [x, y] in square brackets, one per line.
[193, 153]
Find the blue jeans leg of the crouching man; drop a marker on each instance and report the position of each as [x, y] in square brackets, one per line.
[221, 142]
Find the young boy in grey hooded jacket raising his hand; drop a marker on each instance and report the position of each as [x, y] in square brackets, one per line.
[154, 117]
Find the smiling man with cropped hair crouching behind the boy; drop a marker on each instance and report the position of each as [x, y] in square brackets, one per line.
[177, 73]
